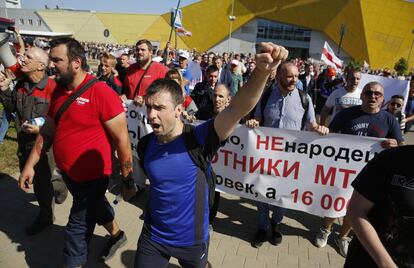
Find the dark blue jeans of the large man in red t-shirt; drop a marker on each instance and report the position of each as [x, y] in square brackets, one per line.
[90, 207]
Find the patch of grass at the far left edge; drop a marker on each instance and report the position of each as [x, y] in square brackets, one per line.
[9, 162]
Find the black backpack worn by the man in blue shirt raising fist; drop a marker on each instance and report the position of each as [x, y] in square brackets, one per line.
[196, 154]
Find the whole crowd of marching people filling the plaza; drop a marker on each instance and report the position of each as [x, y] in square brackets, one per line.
[84, 107]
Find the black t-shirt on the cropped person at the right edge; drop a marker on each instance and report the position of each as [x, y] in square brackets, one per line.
[387, 181]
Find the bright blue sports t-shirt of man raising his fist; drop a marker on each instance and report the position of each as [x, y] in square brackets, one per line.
[178, 203]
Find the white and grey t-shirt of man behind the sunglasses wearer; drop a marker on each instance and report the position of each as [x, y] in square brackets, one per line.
[341, 99]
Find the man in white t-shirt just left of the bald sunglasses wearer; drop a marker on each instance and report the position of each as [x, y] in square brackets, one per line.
[343, 97]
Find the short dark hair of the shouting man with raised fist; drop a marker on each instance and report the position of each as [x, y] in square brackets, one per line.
[166, 85]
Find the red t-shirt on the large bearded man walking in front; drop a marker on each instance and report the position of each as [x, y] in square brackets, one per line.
[82, 146]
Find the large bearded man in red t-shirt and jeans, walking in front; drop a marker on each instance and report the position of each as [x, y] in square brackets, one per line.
[82, 140]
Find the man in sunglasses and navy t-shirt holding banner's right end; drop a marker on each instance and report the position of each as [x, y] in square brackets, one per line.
[369, 120]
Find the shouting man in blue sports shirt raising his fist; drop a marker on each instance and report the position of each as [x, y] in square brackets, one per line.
[177, 216]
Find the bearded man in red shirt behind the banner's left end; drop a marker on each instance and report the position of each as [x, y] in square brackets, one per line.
[142, 73]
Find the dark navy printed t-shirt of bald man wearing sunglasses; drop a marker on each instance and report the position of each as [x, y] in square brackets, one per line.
[355, 121]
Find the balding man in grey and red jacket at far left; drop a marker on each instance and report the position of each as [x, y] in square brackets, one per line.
[30, 100]
